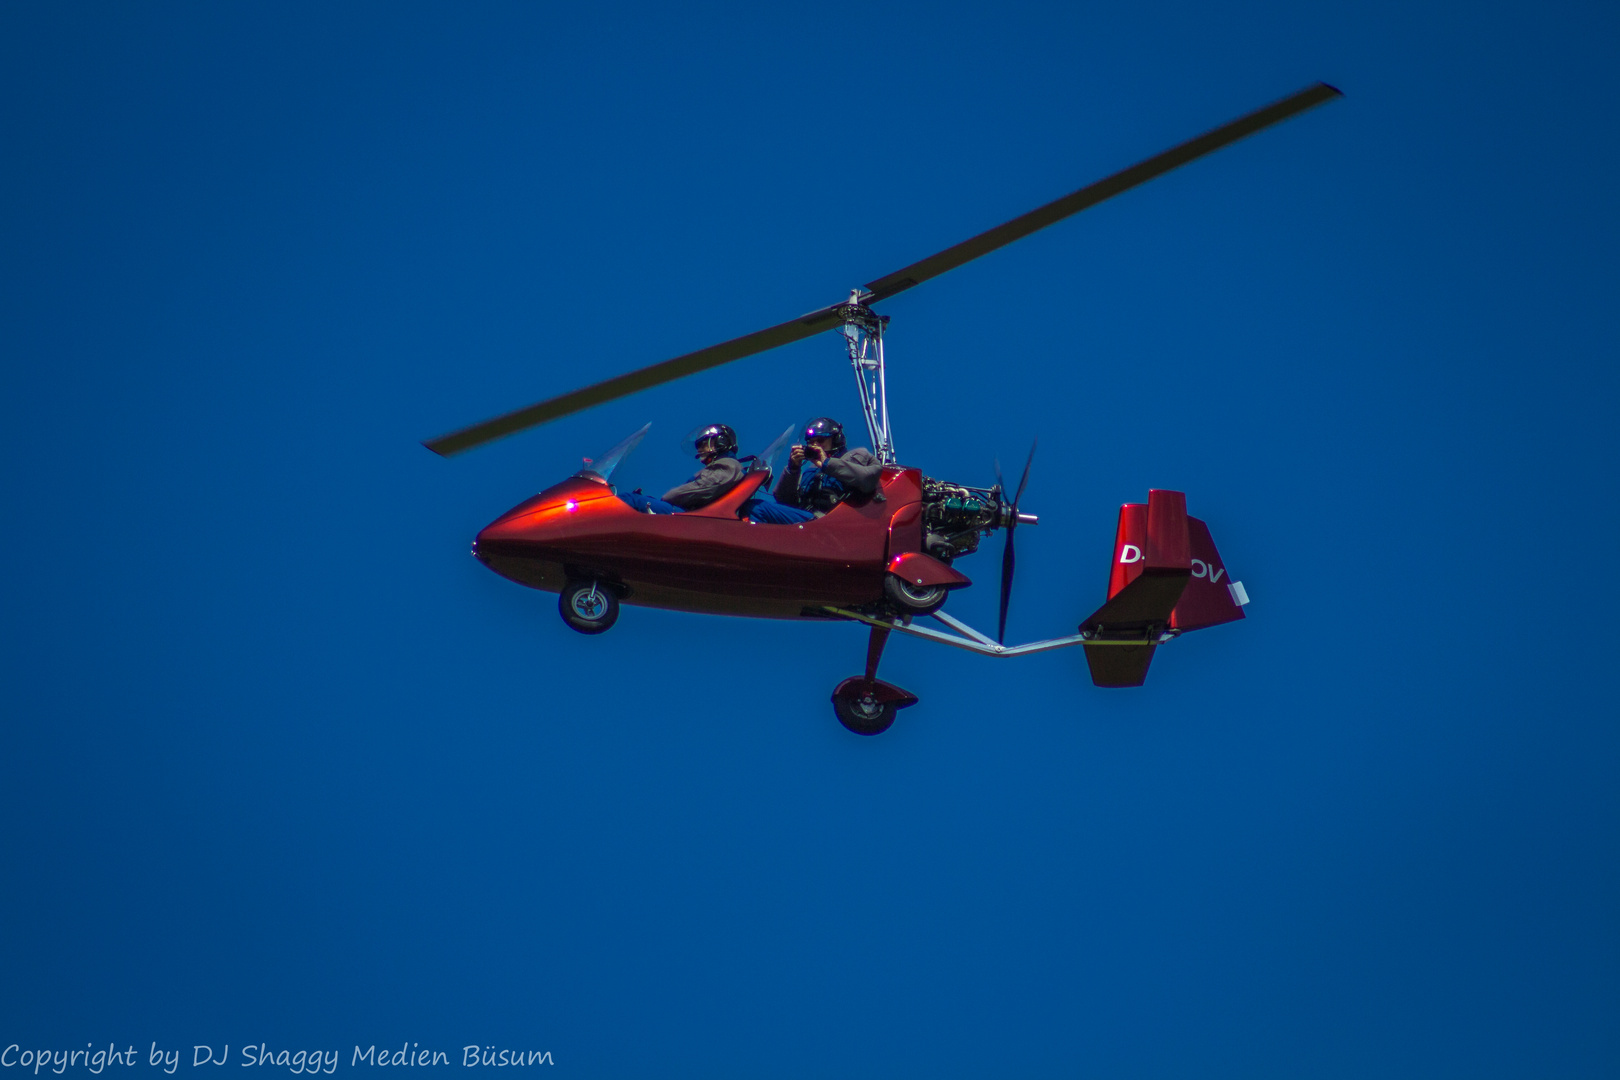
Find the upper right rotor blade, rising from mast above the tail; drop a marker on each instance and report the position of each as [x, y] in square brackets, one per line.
[1096, 193]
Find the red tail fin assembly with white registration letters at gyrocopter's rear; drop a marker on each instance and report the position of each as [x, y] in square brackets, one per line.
[1166, 576]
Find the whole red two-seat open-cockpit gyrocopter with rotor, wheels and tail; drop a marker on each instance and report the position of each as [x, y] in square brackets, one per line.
[884, 561]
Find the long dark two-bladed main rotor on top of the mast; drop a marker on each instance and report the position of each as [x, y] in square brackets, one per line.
[882, 289]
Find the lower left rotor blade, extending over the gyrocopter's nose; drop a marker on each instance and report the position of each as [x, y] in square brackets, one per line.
[652, 376]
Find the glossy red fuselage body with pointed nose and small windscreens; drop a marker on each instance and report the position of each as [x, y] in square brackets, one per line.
[710, 559]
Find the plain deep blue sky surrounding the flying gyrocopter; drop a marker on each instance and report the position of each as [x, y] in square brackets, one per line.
[283, 765]
